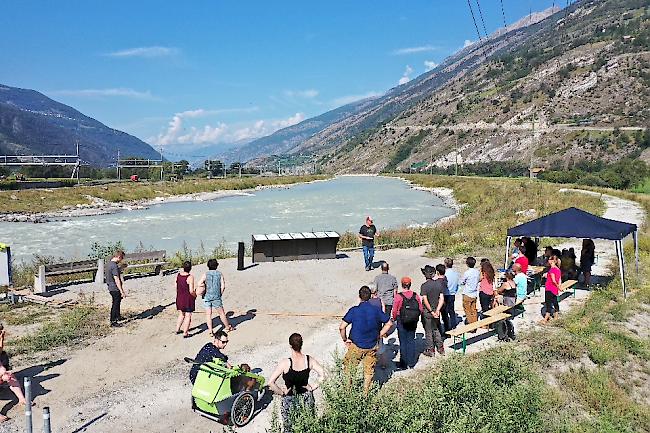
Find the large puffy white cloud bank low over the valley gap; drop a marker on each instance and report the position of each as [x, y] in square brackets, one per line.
[178, 132]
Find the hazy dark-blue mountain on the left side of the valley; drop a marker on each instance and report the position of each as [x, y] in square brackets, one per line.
[33, 124]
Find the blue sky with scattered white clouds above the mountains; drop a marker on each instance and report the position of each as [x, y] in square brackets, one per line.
[199, 75]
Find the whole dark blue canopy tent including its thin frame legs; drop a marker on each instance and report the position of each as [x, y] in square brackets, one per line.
[576, 223]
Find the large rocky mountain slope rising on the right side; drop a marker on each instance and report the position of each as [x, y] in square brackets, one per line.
[556, 91]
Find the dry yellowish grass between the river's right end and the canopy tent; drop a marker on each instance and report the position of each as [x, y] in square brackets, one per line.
[490, 207]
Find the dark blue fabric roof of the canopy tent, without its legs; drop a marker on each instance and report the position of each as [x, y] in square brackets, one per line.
[574, 223]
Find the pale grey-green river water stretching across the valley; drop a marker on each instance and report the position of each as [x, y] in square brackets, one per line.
[338, 205]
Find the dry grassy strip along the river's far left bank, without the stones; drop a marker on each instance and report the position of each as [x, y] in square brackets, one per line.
[47, 200]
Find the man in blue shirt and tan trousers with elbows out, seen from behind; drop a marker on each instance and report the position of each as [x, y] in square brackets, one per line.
[369, 324]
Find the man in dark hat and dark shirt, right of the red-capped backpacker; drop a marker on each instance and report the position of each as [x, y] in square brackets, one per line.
[433, 300]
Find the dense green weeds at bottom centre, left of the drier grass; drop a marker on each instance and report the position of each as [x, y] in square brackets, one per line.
[496, 392]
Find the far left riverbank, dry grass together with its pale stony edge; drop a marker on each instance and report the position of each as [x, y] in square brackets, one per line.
[40, 206]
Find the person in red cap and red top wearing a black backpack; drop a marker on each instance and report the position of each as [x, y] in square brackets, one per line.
[407, 308]
